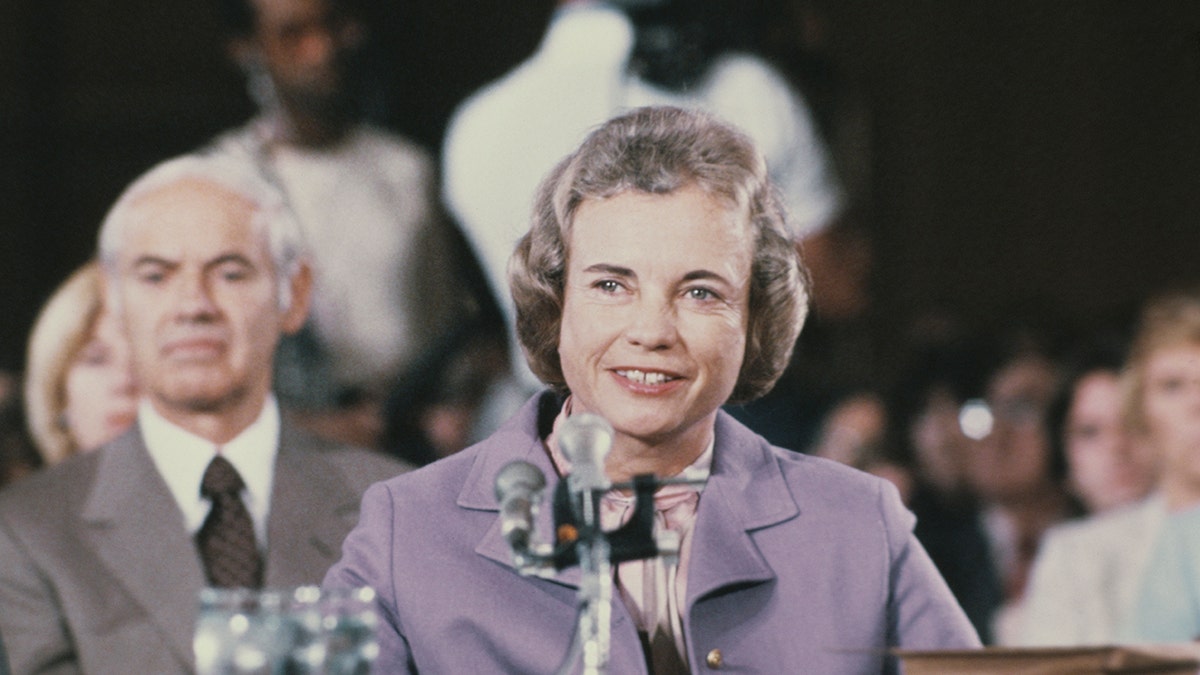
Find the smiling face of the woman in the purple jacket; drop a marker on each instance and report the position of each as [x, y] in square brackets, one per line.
[656, 312]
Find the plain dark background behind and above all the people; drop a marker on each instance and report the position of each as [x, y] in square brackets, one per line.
[1006, 153]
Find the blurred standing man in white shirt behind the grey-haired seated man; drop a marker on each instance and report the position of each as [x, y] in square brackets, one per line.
[393, 277]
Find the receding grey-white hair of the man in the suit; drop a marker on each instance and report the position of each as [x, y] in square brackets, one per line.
[272, 216]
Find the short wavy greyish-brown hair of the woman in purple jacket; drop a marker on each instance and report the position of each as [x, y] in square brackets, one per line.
[658, 151]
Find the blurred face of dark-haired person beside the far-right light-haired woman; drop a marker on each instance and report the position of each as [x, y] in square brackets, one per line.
[1108, 467]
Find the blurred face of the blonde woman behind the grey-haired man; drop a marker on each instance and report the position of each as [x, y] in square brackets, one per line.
[101, 398]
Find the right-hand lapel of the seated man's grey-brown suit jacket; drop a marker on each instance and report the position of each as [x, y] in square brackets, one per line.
[313, 510]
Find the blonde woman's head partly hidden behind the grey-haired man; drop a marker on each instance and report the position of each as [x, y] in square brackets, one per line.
[80, 387]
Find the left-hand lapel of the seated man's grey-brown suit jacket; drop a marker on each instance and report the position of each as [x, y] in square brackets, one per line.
[136, 529]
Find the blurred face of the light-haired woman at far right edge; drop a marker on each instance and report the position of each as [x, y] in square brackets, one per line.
[1172, 413]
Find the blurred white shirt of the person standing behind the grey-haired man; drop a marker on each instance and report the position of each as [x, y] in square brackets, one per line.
[385, 290]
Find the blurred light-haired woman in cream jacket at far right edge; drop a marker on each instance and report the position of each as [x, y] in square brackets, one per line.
[1088, 581]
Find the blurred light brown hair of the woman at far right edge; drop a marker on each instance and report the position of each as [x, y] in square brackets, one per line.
[1172, 320]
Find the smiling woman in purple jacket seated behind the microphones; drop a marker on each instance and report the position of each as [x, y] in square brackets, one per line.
[657, 283]
